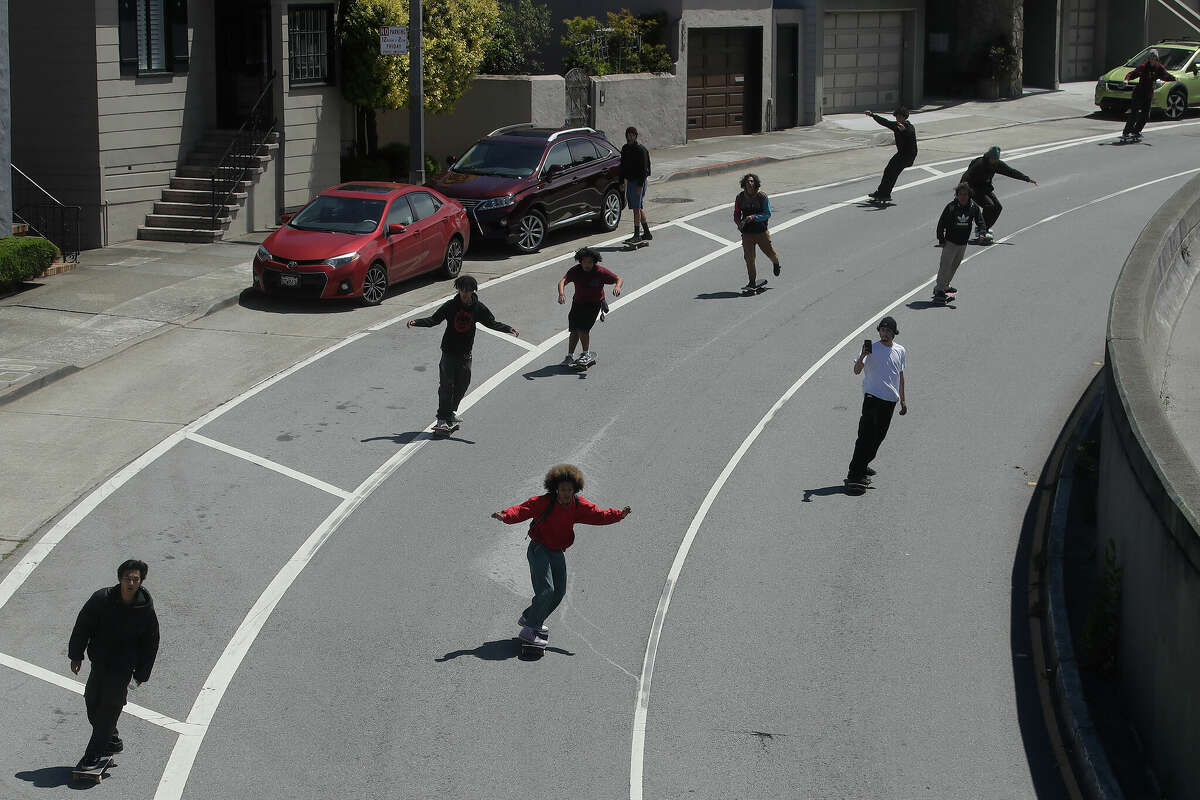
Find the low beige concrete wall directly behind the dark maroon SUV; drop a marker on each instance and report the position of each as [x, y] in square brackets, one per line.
[491, 103]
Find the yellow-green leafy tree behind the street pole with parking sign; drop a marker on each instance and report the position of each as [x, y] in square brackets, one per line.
[455, 35]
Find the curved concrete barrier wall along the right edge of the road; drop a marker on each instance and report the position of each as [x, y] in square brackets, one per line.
[1149, 495]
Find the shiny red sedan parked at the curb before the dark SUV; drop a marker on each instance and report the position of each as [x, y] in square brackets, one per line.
[355, 240]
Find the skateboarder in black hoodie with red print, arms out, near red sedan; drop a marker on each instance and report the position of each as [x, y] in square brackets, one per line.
[460, 314]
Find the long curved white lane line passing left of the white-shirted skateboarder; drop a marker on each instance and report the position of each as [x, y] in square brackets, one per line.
[641, 711]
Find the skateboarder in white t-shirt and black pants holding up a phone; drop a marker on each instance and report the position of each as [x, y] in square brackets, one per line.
[881, 364]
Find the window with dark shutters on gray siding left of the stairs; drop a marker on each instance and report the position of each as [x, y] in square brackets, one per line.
[153, 37]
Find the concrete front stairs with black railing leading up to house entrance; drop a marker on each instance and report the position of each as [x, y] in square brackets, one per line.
[187, 213]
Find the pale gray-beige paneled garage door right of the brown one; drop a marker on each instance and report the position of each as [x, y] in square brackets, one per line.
[863, 53]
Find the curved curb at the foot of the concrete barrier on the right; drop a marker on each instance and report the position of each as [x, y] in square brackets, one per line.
[1089, 760]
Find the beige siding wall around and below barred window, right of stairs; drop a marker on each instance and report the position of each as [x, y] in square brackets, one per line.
[310, 129]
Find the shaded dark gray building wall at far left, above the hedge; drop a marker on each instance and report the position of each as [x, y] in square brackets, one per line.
[56, 135]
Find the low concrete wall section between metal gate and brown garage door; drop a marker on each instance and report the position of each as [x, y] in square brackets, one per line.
[653, 104]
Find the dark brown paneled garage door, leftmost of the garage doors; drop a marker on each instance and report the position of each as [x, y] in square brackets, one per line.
[717, 81]
